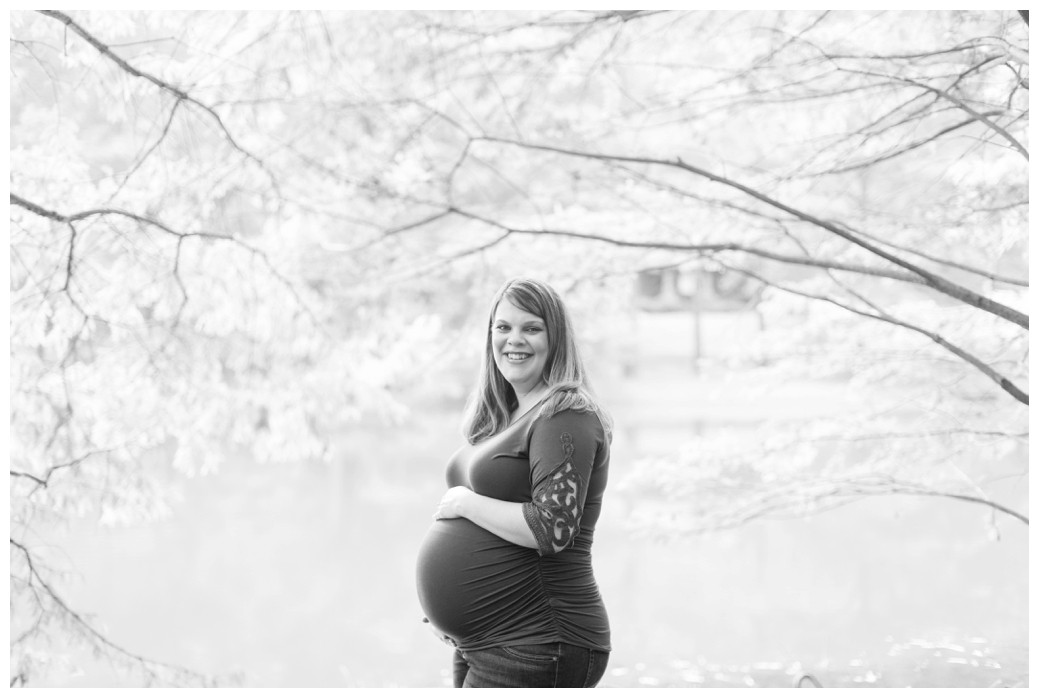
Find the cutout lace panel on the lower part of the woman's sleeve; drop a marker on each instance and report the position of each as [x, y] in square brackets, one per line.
[554, 516]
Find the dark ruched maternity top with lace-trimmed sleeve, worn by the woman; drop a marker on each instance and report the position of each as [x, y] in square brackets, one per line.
[483, 592]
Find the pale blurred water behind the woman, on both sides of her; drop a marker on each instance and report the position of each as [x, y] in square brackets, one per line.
[303, 575]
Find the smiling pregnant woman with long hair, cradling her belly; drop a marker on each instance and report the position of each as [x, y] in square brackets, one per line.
[505, 573]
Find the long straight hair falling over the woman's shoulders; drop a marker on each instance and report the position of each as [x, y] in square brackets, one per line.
[493, 399]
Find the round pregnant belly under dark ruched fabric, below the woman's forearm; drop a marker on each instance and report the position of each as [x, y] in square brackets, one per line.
[470, 581]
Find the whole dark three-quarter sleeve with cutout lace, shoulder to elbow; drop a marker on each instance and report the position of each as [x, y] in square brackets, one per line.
[563, 453]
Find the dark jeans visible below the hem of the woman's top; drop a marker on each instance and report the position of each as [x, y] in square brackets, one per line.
[554, 665]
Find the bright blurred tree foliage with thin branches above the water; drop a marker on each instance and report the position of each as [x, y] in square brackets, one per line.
[251, 230]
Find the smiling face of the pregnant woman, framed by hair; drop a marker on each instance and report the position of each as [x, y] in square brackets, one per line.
[520, 343]
